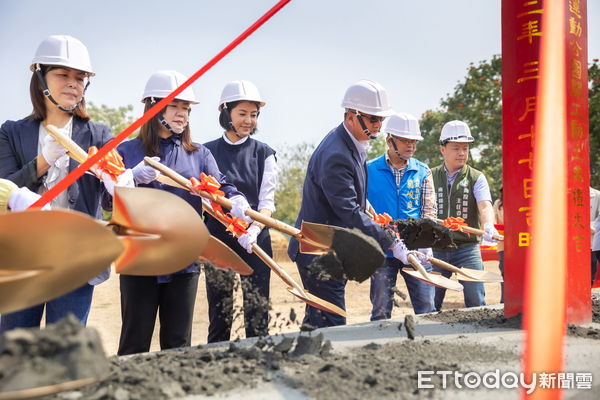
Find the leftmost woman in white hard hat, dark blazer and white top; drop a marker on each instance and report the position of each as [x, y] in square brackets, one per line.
[31, 158]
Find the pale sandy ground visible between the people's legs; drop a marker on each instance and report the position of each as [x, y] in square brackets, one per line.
[105, 315]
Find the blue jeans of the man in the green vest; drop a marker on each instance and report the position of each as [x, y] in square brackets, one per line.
[467, 257]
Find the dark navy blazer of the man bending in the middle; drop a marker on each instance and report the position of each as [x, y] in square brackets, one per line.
[335, 190]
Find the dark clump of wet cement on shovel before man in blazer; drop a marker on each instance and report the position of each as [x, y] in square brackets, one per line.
[355, 257]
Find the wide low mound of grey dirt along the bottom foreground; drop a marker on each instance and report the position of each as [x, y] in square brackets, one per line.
[306, 364]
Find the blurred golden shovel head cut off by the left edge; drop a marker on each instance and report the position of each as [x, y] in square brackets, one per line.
[67, 247]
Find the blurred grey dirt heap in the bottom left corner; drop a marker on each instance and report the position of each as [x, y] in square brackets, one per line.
[62, 352]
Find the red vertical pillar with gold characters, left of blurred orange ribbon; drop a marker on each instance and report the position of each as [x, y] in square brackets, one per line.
[521, 33]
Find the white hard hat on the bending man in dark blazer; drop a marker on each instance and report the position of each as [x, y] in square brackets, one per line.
[368, 97]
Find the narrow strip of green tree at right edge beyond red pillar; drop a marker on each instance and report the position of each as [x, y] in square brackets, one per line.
[594, 111]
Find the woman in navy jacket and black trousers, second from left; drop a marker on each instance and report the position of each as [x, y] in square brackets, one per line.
[167, 136]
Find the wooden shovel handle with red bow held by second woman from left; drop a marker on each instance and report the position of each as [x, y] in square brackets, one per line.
[255, 215]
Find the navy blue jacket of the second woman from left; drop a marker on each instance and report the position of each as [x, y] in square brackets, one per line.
[174, 156]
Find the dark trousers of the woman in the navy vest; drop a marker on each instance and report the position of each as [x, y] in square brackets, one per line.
[255, 289]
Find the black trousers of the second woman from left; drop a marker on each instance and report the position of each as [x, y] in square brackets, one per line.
[142, 297]
